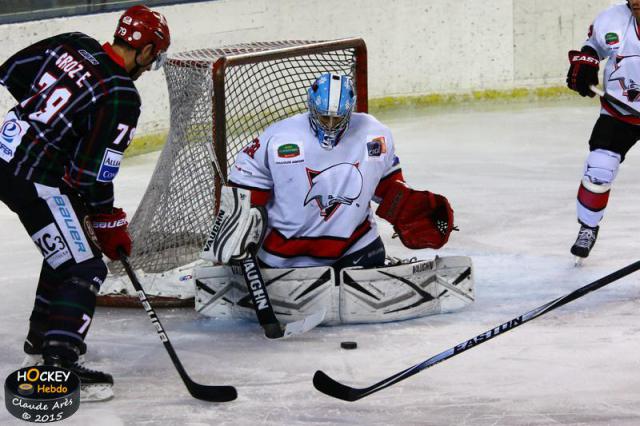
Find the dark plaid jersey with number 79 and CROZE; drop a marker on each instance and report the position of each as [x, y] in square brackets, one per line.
[76, 114]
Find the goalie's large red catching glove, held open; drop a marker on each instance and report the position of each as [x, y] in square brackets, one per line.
[422, 219]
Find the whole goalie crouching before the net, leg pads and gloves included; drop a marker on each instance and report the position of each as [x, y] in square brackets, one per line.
[303, 193]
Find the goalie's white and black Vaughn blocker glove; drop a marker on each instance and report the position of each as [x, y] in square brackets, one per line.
[237, 228]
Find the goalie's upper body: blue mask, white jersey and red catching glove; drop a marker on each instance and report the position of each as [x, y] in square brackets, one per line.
[316, 174]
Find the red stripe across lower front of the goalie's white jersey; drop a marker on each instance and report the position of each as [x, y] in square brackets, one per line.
[321, 247]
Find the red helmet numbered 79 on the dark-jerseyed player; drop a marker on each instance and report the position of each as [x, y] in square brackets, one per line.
[139, 26]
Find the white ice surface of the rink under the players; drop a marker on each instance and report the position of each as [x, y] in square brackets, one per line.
[511, 173]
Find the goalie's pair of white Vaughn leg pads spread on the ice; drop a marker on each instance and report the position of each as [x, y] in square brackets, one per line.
[385, 294]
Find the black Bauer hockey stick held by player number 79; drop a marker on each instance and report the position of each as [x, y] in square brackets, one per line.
[203, 392]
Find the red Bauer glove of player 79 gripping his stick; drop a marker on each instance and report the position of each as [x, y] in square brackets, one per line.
[111, 232]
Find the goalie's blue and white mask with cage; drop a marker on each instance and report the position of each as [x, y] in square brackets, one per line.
[331, 101]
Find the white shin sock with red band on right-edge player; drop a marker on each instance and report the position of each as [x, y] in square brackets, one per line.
[600, 171]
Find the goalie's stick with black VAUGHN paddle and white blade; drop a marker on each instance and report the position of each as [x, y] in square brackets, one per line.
[257, 288]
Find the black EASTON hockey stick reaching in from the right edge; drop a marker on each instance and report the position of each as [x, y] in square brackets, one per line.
[331, 387]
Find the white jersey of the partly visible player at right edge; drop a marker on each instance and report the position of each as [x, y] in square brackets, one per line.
[615, 35]
